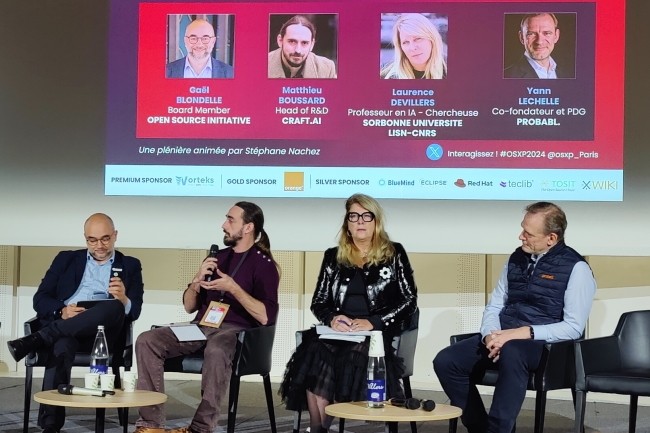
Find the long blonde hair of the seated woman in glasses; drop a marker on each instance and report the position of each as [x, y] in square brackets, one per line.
[381, 249]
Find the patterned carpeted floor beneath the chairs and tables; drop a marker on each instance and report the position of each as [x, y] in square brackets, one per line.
[252, 416]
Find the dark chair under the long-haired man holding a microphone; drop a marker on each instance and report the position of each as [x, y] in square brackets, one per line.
[253, 356]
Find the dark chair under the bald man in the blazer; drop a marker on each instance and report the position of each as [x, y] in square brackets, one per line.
[121, 357]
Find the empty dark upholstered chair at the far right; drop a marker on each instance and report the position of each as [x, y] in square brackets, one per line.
[618, 364]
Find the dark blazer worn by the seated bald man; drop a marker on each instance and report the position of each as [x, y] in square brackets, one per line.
[63, 277]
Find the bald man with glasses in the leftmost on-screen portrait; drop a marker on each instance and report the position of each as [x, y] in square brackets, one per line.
[199, 41]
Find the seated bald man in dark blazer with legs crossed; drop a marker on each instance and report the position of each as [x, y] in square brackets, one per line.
[98, 273]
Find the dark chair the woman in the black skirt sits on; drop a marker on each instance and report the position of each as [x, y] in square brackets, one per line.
[404, 346]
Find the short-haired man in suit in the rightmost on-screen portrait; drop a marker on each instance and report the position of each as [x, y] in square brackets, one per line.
[539, 33]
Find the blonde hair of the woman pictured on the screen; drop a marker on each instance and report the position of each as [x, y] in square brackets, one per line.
[416, 25]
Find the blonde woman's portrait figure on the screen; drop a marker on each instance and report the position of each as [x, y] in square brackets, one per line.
[418, 50]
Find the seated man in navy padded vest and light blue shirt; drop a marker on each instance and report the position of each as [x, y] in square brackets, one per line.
[544, 294]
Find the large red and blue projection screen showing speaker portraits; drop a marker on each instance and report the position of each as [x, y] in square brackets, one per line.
[457, 99]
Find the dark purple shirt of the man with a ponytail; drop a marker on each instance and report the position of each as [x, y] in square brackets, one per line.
[257, 275]
